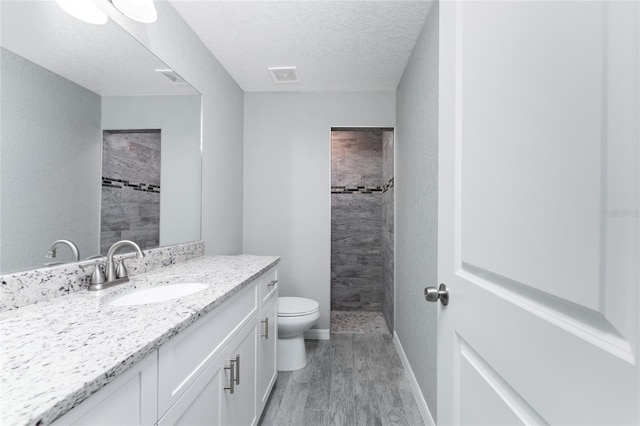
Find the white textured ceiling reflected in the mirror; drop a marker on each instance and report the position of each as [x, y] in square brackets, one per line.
[102, 58]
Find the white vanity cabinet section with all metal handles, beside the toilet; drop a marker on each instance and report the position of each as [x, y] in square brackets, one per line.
[197, 367]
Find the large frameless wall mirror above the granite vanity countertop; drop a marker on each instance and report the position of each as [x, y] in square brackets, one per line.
[65, 87]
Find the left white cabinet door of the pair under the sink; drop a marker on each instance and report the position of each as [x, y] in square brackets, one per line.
[201, 404]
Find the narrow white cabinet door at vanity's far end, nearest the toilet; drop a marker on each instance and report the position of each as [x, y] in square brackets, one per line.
[267, 339]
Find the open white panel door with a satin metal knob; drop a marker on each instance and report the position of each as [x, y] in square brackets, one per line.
[538, 213]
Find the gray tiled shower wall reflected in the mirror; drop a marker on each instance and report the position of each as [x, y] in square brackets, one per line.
[130, 188]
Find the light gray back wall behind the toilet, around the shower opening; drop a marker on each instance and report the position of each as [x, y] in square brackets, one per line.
[287, 199]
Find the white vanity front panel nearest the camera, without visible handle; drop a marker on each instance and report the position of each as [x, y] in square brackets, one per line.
[128, 400]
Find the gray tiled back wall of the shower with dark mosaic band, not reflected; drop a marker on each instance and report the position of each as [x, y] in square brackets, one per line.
[356, 220]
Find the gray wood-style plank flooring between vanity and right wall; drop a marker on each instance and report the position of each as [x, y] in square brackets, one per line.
[352, 379]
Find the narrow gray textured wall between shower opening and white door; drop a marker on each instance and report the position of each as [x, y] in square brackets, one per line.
[417, 207]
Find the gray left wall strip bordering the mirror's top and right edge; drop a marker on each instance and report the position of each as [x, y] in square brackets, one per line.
[175, 43]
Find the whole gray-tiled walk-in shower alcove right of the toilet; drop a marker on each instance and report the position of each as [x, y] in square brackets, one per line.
[362, 210]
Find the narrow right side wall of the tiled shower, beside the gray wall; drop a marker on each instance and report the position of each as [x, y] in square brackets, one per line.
[387, 228]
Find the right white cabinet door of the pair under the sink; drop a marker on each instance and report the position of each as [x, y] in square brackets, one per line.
[241, 404]
